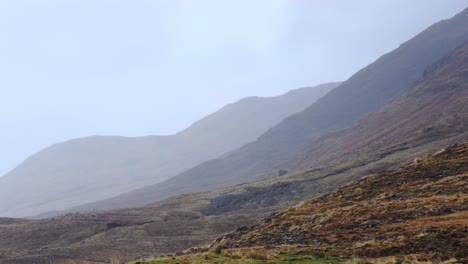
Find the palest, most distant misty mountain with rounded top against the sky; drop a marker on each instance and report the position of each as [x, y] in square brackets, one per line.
[90, 169]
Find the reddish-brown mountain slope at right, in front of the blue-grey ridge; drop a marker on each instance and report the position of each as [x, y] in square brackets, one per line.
[434, 109]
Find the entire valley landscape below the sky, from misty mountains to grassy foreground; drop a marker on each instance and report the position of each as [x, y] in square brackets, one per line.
[370, 170]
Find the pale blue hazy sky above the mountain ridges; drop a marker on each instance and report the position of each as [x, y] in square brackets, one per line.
[78, 68]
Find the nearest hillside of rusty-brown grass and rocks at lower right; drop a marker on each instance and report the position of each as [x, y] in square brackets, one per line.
[416, 212]
